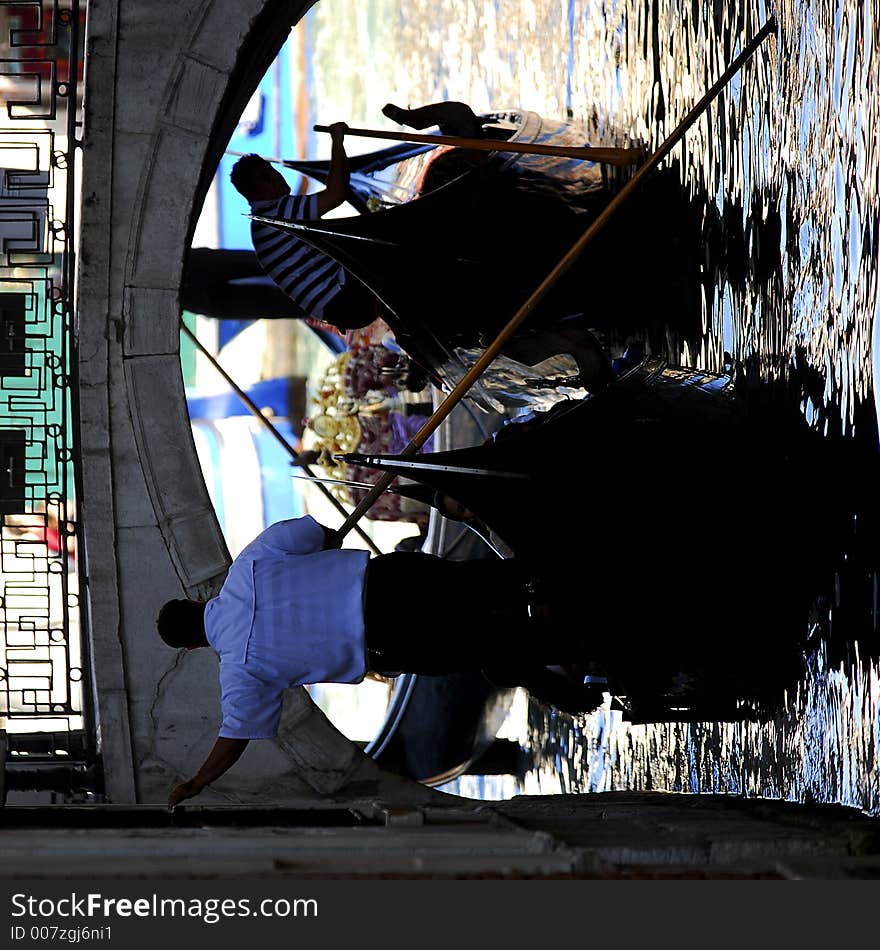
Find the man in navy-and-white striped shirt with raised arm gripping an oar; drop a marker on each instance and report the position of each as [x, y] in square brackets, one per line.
[314, 281]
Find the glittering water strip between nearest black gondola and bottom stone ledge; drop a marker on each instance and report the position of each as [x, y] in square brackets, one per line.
[821, 747]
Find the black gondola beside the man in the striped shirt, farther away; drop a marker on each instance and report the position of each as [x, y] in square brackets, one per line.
[460, 239]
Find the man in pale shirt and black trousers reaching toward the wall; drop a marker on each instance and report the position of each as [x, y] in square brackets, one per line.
[296, 609]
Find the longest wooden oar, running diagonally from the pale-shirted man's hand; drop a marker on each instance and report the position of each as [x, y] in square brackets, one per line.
[471, 376]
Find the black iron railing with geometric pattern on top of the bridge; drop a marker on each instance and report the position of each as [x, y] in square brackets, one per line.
[43, 694]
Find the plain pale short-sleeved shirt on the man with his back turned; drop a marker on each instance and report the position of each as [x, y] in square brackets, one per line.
[287, 614]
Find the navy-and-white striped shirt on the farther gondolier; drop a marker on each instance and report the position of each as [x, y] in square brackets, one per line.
[308, 277]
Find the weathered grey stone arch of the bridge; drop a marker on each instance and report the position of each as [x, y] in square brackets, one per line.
[165, 83]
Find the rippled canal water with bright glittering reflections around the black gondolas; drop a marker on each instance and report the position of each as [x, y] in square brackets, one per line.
[784, 168]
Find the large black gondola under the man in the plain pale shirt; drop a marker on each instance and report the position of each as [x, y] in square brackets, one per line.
[667, 519]
